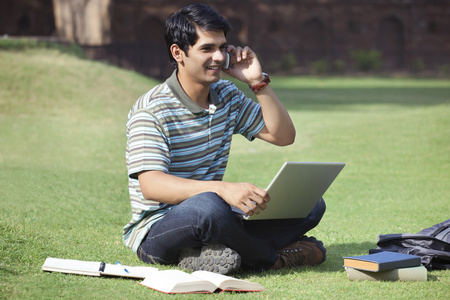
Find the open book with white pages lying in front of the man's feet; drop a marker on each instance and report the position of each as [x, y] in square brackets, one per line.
[179, 282]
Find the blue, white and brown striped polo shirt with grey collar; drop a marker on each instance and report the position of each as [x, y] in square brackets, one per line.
[167, 131]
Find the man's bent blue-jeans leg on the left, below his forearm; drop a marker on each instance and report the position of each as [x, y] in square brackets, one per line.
[202, 219]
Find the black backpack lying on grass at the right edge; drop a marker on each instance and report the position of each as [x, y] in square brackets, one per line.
[431, 244]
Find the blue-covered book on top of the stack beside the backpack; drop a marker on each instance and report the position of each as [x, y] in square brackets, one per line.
[382, 261]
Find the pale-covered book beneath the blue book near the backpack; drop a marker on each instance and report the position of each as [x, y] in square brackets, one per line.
[402, 274]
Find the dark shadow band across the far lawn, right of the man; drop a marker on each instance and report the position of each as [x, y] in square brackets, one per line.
[350, 97]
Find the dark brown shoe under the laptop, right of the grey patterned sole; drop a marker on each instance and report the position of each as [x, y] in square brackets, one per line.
[306, 252]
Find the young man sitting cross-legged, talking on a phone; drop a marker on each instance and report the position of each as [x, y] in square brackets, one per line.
[179, 137]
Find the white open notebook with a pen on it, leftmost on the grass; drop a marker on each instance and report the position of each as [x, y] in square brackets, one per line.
[94, 268]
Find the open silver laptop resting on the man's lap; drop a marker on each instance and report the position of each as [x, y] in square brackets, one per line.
[296, 189]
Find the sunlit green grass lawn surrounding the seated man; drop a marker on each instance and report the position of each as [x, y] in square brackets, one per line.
[64, 187]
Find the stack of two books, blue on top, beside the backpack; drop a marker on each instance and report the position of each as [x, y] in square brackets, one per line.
[389, 266]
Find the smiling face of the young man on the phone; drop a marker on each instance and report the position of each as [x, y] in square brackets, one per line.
[206, 57]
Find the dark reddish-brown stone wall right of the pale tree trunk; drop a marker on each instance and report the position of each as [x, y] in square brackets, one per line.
[404, 31]
